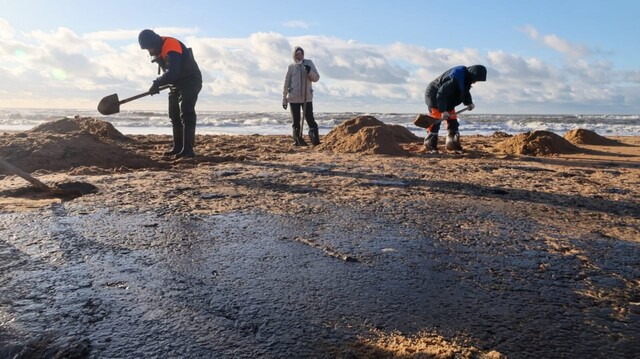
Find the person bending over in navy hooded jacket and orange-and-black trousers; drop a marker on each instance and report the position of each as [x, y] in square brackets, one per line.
[442, 96]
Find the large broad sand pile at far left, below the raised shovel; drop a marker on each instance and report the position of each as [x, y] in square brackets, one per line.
[88, 142]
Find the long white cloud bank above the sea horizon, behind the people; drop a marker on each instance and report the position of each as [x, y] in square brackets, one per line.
[247, 73]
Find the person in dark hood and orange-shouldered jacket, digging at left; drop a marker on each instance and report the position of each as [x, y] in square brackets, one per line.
[180, 70]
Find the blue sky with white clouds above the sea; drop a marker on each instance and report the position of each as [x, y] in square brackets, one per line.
[562, 56]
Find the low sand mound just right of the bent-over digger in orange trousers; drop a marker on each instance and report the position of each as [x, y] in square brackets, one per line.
[537, 143]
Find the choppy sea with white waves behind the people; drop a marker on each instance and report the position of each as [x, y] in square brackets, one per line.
[279, 123]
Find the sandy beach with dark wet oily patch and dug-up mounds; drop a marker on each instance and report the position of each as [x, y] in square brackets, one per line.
[357, 248]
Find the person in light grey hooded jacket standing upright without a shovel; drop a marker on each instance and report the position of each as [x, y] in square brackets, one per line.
[298, 93]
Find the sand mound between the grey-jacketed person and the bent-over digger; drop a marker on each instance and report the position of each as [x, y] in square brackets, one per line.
[364, 134]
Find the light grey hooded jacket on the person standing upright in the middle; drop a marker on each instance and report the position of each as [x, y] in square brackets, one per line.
[297, 79]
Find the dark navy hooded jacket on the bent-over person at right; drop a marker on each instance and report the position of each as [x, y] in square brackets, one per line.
[452, 87]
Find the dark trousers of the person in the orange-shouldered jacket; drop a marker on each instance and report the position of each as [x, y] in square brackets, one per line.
[182, 102]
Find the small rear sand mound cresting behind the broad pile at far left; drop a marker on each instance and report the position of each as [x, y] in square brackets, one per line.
[86, 125]
